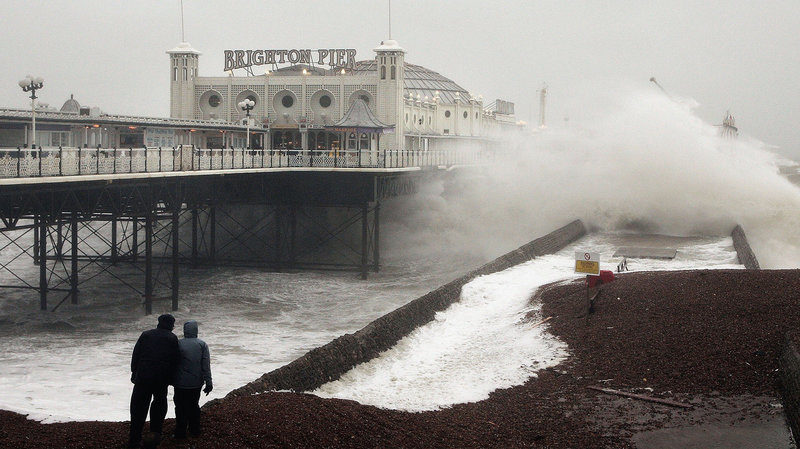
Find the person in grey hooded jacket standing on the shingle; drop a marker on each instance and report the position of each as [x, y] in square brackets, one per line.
[194, 369]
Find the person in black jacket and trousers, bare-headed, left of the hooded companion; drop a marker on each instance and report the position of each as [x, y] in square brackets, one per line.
[153, 364]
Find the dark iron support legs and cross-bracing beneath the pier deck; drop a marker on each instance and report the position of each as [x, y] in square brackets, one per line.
[54, 239]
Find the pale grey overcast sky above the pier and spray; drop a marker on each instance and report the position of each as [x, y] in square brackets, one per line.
[737, 55]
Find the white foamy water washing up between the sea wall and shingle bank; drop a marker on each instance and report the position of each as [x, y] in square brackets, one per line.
[482, 343]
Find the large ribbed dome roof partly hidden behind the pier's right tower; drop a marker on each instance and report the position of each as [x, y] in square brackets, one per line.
[422, 81]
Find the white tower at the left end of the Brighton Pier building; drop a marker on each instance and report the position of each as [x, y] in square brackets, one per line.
[183, 61]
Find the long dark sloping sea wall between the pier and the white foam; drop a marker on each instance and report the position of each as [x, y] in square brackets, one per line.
[329, 362]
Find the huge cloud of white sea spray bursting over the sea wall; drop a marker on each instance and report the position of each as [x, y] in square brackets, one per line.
[643, 163]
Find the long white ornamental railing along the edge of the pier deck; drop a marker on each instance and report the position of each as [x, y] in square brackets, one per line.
[71, 161]
